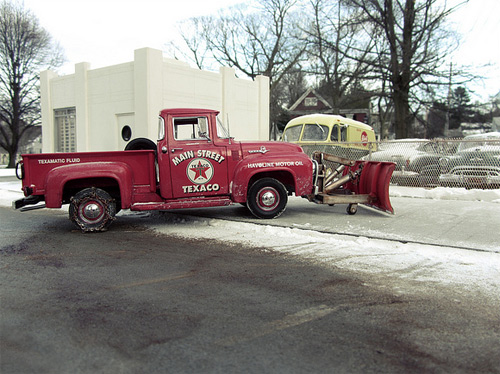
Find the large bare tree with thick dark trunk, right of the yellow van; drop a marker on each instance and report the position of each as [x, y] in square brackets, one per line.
[414, 43]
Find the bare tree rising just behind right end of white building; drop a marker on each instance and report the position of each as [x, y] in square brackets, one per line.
[255, 40]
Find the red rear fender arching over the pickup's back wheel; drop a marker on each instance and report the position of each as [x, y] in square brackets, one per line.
[58, 177]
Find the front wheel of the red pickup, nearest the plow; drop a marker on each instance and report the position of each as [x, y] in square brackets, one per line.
[267, 198]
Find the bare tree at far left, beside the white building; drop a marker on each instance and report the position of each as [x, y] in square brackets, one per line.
[25, 49]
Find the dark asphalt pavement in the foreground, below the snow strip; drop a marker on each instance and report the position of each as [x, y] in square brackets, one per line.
[133, 301]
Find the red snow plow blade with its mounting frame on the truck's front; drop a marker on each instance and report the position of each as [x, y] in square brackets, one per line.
[345, 181]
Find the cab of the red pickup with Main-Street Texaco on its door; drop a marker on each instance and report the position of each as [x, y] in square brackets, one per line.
[194, 158]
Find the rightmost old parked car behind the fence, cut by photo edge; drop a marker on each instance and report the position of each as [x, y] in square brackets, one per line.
[476, 163]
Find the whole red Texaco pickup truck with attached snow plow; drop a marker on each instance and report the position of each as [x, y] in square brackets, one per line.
[195, 163]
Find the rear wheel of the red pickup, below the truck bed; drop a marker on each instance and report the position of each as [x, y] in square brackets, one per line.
[92, 209]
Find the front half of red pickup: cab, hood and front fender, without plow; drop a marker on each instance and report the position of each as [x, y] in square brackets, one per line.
[199, 163]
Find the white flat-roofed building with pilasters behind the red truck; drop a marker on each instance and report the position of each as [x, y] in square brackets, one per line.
[102, 109]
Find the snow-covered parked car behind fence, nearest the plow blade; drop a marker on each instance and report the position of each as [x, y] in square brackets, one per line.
[417, 160]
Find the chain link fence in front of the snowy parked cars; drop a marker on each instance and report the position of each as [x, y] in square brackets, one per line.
[472, 162]
